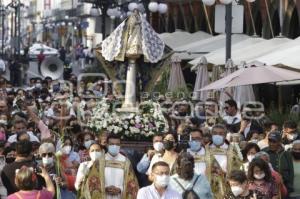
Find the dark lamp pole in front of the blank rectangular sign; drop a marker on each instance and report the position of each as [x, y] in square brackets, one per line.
[228, 30]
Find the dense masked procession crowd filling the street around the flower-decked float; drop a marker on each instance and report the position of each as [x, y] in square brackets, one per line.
[216, 156]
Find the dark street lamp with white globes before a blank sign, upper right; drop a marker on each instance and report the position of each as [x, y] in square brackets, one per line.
[228, 21]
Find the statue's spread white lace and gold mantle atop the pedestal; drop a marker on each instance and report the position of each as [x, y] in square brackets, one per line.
[132, 38]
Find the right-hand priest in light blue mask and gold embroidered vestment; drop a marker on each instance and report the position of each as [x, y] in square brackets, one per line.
[223, 159]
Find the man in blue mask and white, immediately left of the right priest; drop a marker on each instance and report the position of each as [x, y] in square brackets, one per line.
[197, 150]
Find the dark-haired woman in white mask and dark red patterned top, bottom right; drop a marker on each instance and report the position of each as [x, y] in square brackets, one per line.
[261, 180]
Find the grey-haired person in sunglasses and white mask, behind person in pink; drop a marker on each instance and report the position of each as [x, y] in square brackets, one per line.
[47, 153]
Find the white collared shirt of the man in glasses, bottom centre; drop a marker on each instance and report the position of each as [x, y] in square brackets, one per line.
[150, 192]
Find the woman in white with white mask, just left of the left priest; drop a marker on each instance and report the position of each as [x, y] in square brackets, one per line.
[95, 153]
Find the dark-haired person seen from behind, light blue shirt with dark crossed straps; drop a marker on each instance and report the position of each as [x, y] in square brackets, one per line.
[187, 182]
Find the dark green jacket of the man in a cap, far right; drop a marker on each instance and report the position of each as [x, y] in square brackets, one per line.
[282, 162]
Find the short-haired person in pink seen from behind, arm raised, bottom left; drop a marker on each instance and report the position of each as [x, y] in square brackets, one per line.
[26, 179]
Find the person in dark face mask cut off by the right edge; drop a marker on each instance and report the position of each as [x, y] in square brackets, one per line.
[296, 163]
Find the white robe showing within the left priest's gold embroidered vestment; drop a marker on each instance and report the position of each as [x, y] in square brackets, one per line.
[114, 176]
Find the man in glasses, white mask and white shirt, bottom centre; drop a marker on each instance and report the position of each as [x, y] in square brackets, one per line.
[160, 175]
